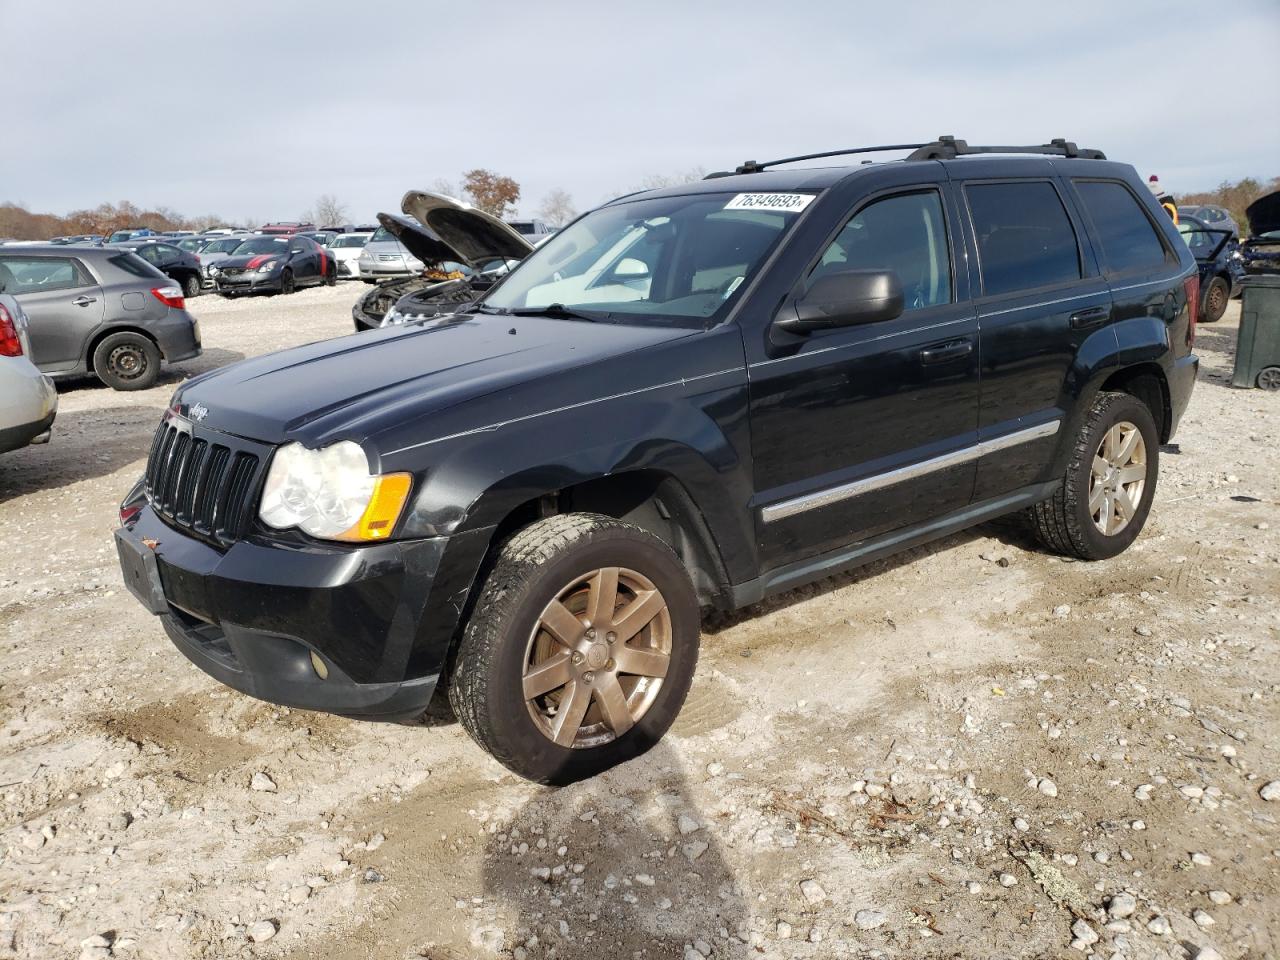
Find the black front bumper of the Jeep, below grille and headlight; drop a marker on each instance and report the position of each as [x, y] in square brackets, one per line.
[253, 616]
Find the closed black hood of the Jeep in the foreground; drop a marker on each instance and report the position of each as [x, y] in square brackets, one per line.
[354, 387]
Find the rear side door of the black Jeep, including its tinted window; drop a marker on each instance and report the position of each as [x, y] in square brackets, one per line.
[1041, 298]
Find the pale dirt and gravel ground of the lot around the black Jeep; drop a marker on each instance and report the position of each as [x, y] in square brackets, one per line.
[959, 753]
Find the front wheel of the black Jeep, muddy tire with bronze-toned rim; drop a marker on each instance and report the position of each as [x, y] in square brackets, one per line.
[506, 639]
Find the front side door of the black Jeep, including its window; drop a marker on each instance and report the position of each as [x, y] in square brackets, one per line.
[853, 432]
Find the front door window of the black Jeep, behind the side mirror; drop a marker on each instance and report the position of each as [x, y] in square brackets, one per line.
[906, 234]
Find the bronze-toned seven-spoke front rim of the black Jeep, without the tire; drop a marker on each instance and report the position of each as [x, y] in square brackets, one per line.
[597, 657]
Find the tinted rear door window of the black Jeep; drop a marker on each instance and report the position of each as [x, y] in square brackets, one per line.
[1026, 239]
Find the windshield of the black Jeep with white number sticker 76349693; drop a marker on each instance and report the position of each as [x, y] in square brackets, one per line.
[664, 260]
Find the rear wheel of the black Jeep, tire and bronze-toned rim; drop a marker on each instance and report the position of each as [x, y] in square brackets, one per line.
[1066, 523]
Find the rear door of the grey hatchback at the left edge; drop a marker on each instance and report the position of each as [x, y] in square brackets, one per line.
[63, 304]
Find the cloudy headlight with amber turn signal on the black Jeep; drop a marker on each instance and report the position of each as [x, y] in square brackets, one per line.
[330, 493]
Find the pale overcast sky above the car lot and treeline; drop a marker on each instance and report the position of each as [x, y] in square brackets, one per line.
[255, 109]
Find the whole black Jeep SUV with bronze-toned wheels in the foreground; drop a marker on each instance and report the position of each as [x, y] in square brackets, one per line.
[691, 397]
